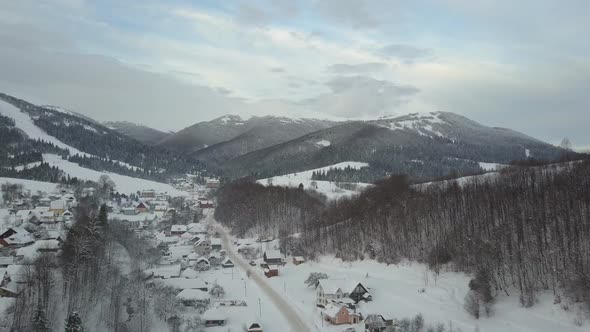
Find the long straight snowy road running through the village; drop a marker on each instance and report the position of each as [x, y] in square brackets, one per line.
[297, 322]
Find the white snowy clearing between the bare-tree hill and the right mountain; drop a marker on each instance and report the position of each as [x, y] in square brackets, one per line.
[333, 190]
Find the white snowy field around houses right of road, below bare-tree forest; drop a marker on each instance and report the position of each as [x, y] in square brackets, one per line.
[396, 291]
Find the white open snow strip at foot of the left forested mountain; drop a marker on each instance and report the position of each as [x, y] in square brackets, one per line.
[125, 184]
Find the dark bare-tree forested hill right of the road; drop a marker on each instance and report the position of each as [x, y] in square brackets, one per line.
[525, 228]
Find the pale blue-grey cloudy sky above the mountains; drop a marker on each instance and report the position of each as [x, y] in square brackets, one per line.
[168, 64]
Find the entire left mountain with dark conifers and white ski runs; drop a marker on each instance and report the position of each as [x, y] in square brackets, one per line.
[46, 144]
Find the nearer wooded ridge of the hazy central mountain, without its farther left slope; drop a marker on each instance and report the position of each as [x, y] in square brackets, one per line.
[261, 133]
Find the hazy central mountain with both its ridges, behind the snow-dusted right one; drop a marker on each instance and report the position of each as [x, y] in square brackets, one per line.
[245, 135]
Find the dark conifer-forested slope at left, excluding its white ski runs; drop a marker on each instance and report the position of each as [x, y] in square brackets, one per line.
[104, 149]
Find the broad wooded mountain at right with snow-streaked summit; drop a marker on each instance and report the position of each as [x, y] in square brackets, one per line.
[422, 145]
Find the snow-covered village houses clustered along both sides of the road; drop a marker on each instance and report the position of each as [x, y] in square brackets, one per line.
[193, 260]
